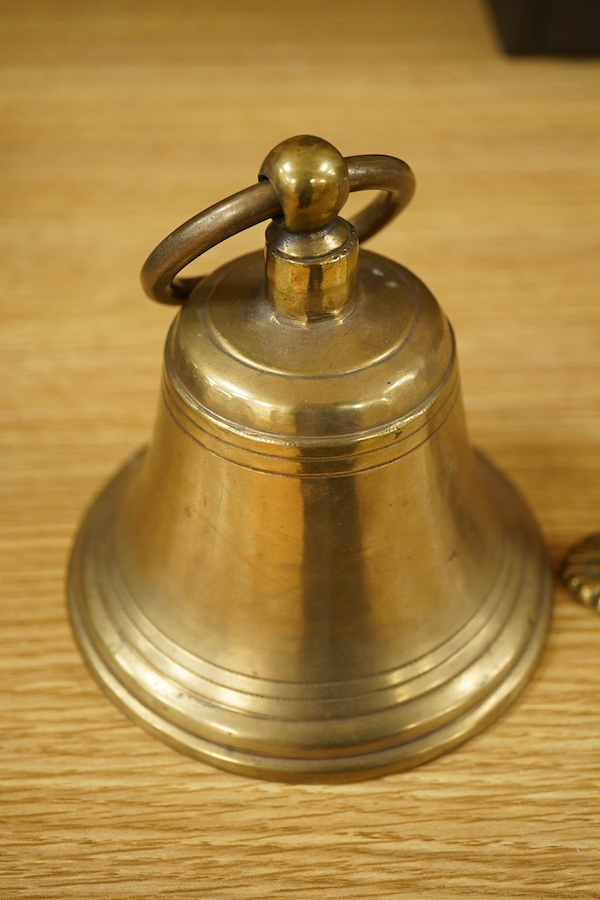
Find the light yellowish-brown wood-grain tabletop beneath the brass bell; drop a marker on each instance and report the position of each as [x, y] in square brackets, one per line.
[119, 121]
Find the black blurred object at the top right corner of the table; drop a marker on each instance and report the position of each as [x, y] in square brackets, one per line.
[548, 26]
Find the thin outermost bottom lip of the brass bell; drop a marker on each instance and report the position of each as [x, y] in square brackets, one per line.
[405, 753]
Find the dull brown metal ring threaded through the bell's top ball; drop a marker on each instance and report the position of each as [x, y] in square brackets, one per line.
[392, 177]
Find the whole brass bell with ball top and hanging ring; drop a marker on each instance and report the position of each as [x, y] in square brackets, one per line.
[308, 574]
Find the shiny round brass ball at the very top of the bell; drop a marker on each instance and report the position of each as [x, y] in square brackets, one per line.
[310, 178]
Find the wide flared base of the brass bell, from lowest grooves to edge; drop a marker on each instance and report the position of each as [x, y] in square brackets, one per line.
[311, 731]
